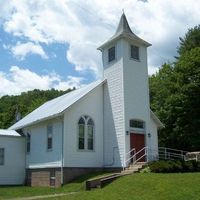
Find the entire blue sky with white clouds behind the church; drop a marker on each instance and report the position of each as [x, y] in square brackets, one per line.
[52, 44]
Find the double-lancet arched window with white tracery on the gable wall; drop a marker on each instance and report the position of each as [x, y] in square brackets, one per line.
[85, 133]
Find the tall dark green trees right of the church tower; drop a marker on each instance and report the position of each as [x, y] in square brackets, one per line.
[175, 95]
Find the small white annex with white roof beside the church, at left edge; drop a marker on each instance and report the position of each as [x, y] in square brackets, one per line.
[12, 158]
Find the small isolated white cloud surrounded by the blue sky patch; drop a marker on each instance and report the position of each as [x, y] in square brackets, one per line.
[21, 50]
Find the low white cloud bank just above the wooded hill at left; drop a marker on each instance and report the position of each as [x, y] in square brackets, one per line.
[20, 80]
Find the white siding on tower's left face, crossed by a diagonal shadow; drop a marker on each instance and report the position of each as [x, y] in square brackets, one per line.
[114, 132]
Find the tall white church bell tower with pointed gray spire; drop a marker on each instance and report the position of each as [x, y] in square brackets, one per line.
[125, 93]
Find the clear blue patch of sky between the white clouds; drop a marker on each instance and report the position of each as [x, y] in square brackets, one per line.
[55, 63]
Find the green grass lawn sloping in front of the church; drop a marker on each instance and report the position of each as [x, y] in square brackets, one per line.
[177, 186]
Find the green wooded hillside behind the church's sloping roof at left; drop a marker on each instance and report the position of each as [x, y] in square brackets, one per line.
[24, 104]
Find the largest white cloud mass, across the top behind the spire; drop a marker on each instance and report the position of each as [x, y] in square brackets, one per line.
[86, 24]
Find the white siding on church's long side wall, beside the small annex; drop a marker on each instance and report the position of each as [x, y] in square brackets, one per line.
[39, 156]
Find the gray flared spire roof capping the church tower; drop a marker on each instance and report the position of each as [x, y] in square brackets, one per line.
[124, 30]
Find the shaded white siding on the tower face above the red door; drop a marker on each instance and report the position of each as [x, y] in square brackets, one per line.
[136, 90]
